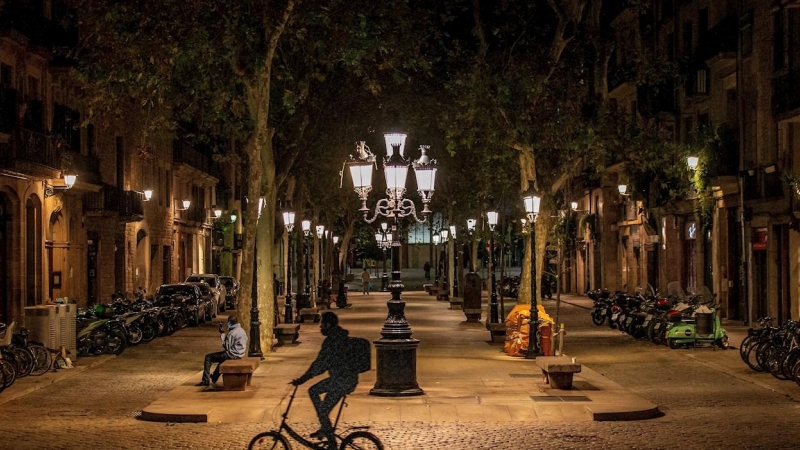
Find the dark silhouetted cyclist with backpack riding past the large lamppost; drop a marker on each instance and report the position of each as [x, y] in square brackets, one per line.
[335, 357]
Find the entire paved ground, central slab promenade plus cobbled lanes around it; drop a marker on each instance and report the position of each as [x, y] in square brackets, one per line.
[708, 397]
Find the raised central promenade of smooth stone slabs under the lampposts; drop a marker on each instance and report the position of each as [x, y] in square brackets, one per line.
[466, 378]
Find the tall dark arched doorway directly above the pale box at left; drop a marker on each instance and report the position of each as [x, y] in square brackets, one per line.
[33, 251]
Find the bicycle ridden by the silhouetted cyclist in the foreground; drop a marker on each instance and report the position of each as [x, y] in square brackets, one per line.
[275, 439]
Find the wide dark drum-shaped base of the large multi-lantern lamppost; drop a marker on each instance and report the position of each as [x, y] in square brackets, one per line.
[396, 368]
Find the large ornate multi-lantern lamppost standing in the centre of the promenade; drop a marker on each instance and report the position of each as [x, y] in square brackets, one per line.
[396, 351]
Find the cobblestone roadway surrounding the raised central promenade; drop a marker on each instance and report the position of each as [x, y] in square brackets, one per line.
[710, 400]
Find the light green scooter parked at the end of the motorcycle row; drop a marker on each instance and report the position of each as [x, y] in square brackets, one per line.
[703, 327]
